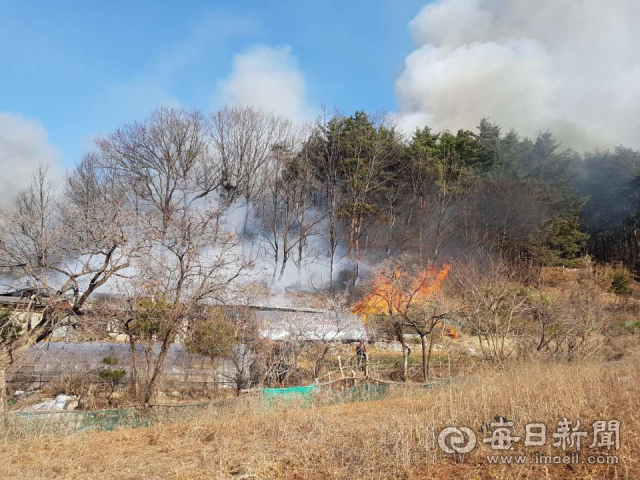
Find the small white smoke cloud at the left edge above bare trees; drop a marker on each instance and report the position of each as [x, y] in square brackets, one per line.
[23, 147]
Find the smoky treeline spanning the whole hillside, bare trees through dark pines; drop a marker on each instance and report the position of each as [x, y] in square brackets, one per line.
[339, 193]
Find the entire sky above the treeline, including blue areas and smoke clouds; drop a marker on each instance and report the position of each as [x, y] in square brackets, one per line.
[71, 70]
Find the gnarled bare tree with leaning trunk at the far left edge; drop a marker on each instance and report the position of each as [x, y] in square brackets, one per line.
[65, 246]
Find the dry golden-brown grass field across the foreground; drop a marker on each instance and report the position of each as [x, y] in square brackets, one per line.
[391, 438]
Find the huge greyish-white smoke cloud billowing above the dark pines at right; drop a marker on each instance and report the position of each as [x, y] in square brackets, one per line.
[572, 67]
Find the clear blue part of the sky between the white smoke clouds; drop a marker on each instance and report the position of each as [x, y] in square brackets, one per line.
[84, 68]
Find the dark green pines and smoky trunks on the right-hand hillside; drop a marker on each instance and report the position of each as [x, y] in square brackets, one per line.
[373, 193]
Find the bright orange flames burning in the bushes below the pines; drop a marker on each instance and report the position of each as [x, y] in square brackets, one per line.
[393, 293]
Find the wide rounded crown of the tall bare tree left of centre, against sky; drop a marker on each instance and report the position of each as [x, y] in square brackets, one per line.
[165, 160]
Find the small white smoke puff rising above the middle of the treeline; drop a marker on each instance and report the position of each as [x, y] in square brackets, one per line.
[267, 78]
